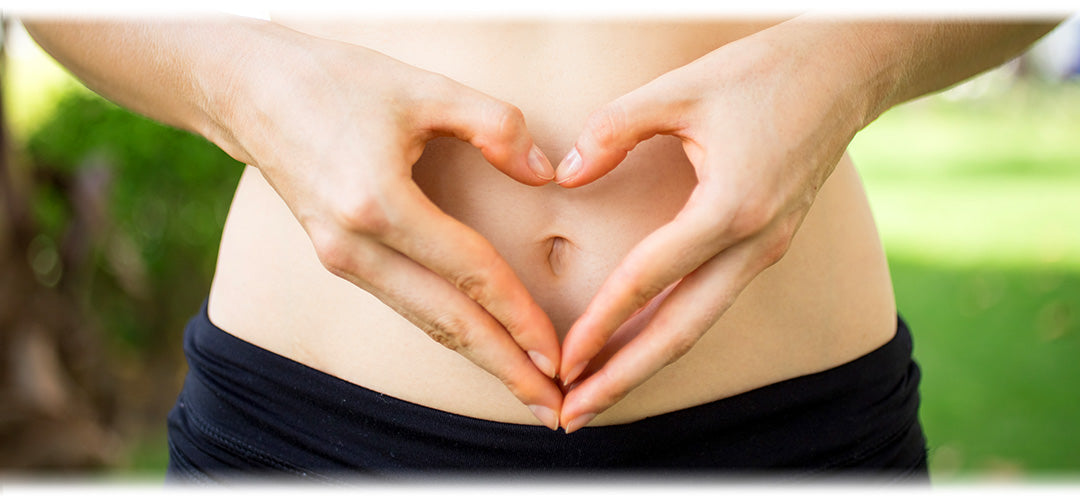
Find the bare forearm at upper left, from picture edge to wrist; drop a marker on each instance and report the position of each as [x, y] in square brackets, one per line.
[186, 74]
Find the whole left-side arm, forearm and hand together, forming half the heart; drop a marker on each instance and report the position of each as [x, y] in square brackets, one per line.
[335, 129]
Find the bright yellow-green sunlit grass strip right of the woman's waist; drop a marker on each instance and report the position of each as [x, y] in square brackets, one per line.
[994, 181]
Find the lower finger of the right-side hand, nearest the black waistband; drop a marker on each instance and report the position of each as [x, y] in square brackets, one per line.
[686, 315]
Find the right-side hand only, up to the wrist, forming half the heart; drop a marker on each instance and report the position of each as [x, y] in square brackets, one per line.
[764, 126]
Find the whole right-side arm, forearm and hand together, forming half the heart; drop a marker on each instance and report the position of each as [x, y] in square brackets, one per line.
[764, 120]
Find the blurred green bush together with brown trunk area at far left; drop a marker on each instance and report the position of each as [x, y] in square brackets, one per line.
[121, 245]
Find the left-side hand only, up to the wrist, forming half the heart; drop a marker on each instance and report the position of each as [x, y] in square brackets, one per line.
[336, 134]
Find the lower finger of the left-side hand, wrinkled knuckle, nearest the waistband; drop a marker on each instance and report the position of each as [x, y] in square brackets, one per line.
[449, 317]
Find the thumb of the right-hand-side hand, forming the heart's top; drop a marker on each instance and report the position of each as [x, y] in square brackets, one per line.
[613, 131]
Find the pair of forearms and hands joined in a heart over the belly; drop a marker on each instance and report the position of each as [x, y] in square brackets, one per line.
[763, 121]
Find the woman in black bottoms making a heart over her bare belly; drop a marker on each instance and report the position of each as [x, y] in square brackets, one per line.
[704, 200]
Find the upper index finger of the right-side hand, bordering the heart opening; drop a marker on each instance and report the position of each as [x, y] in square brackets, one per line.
[696, 235]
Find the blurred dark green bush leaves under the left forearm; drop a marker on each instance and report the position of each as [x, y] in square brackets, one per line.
[167, 195]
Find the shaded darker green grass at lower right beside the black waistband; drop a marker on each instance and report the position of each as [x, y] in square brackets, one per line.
[1000, 350]
